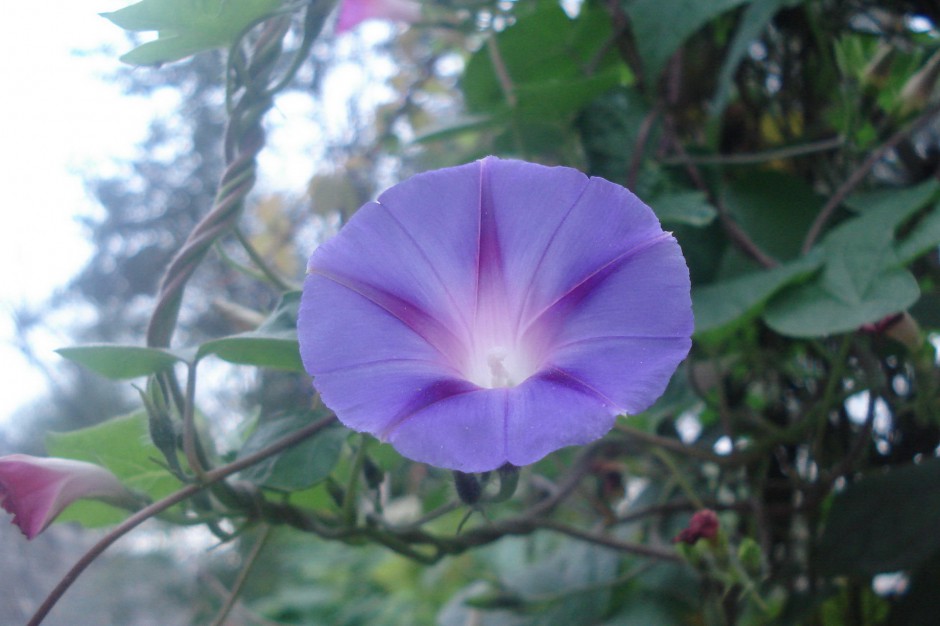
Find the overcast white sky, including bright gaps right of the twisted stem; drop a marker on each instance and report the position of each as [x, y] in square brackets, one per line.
[61, 118]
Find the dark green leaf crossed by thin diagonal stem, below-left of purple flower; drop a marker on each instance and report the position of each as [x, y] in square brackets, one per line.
[299, 467]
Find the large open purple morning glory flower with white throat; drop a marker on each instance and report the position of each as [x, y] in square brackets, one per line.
[494, 312]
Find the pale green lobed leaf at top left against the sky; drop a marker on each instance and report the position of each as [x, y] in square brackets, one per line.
[187, 26]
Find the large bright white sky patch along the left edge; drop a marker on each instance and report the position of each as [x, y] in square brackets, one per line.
[59, 116]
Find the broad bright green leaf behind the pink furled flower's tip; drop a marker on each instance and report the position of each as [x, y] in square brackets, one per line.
[122, 445]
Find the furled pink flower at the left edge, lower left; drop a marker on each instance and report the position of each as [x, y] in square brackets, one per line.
[36, 490]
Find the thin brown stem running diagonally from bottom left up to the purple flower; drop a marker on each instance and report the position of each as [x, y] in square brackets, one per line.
[135, 520]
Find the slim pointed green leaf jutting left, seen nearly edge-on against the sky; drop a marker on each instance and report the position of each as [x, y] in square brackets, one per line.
[121, 362]
